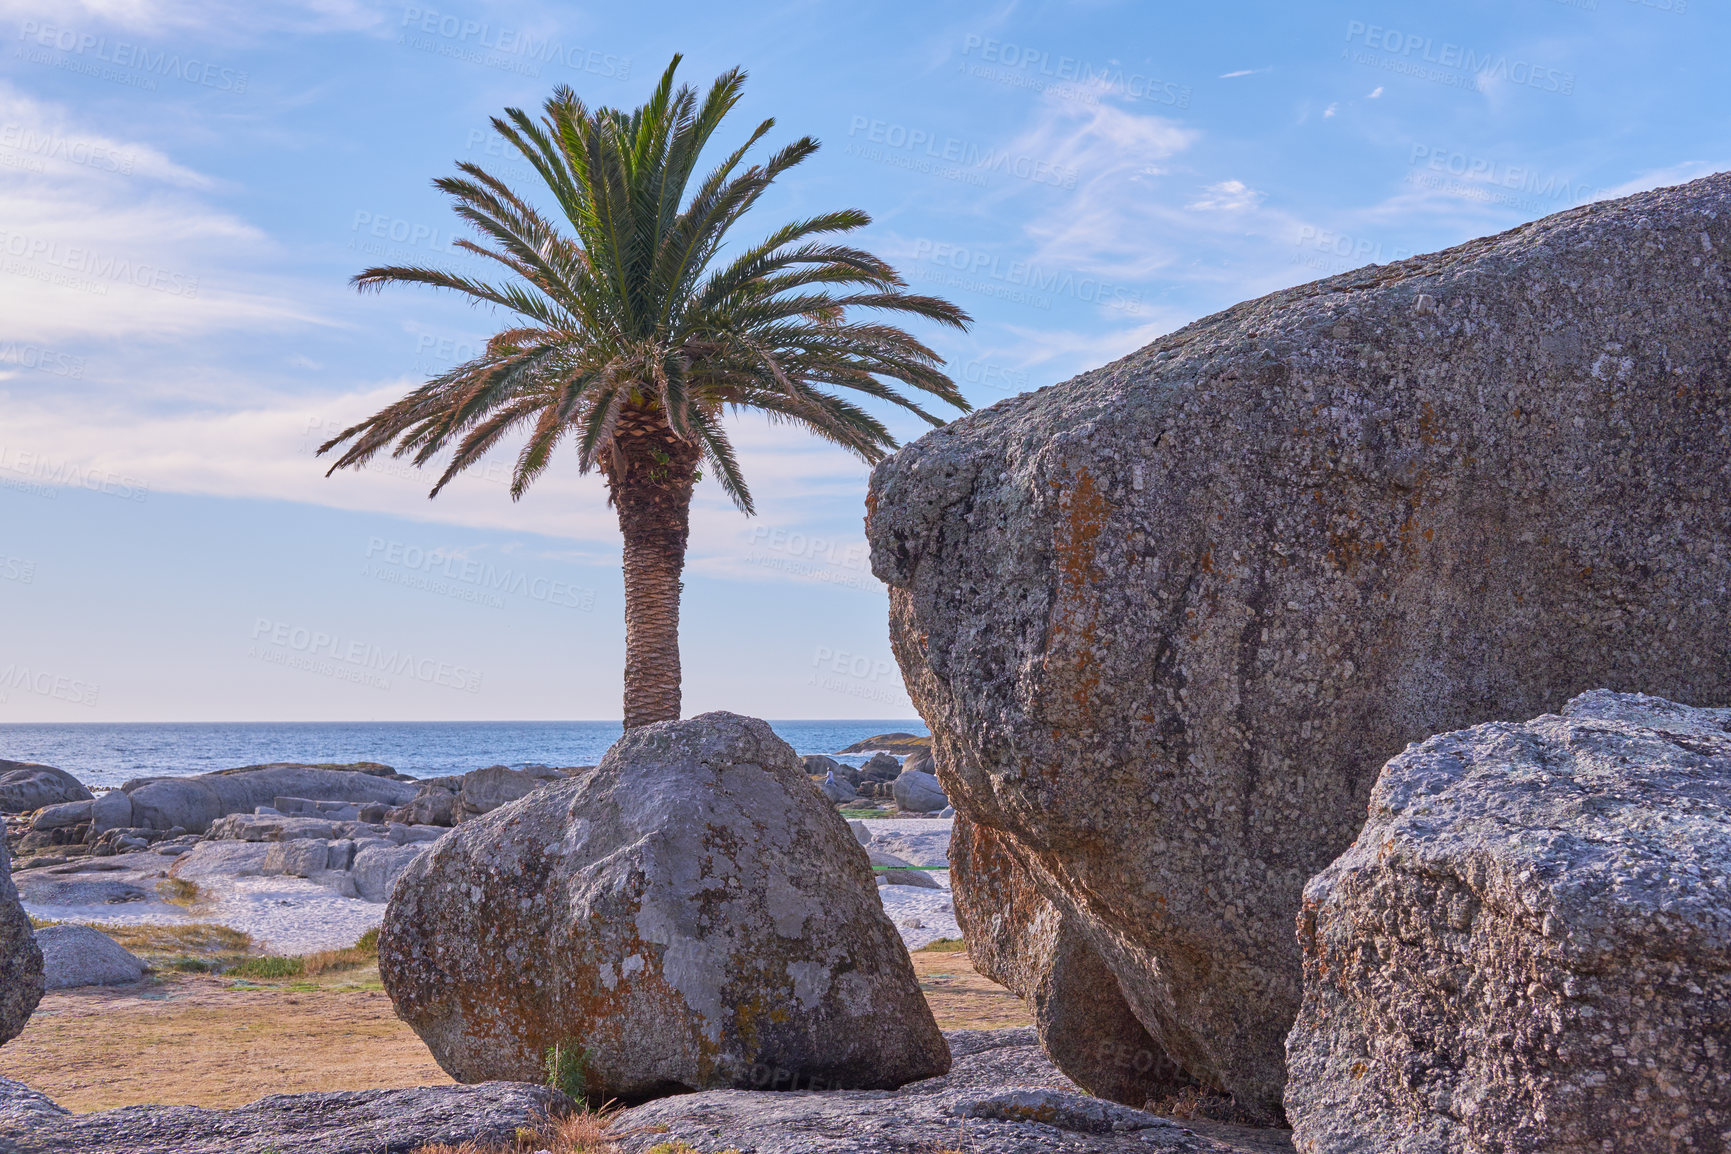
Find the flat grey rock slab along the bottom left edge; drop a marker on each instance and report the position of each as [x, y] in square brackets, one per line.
[368, 1122]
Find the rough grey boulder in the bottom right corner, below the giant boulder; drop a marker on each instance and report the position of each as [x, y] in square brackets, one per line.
[1529, 947]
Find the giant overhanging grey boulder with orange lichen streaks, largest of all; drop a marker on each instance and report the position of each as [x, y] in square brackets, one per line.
[1169, 619]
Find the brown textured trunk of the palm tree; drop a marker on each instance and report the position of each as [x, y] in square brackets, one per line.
[652, 482]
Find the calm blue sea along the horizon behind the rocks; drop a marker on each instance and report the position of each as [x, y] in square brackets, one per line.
[108, 755]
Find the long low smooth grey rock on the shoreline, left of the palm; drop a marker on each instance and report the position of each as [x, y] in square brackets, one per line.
[195, 804]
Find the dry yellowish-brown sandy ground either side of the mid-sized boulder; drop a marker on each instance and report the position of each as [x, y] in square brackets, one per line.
[202, 1041]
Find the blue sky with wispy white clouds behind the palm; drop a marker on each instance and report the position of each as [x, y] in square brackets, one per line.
[186, 189]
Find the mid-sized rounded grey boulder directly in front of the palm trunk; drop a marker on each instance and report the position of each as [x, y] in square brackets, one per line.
[681, 916]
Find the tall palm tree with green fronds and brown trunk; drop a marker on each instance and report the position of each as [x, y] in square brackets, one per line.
[634, 340]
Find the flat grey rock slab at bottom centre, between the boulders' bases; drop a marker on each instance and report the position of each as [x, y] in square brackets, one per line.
[1001, 1096]
